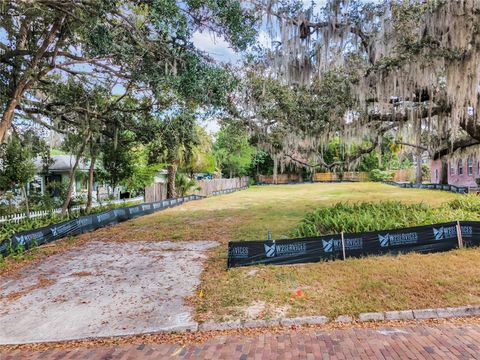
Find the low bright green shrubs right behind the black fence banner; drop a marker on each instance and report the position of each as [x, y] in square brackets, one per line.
[375, 216]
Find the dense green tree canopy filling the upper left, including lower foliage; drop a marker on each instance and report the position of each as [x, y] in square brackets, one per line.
[105, 74]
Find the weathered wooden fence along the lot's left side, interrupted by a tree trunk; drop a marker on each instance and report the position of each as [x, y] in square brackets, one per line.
[158, 191]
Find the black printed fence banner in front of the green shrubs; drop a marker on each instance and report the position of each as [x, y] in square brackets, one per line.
[420, 239]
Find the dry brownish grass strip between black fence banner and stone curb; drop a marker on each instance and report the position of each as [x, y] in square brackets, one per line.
[411, 281]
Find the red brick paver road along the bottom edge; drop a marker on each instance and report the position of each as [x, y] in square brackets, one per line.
[444, 341]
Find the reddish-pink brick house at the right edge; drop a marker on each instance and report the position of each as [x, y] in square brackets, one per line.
[461, 168]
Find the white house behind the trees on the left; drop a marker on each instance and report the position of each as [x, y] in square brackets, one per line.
[59, 172]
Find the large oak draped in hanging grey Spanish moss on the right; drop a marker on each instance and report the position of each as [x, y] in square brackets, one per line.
[405, 69]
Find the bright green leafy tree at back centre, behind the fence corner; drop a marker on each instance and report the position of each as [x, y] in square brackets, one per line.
[233, 151]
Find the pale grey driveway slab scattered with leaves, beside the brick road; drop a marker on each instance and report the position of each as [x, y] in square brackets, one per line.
[102, 289]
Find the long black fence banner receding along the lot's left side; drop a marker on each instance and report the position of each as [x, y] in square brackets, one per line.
[87, 223]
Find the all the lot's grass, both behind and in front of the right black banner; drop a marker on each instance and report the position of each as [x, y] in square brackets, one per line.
[333, 288]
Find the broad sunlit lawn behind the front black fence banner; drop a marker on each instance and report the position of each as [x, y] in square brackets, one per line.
[246, 215]
